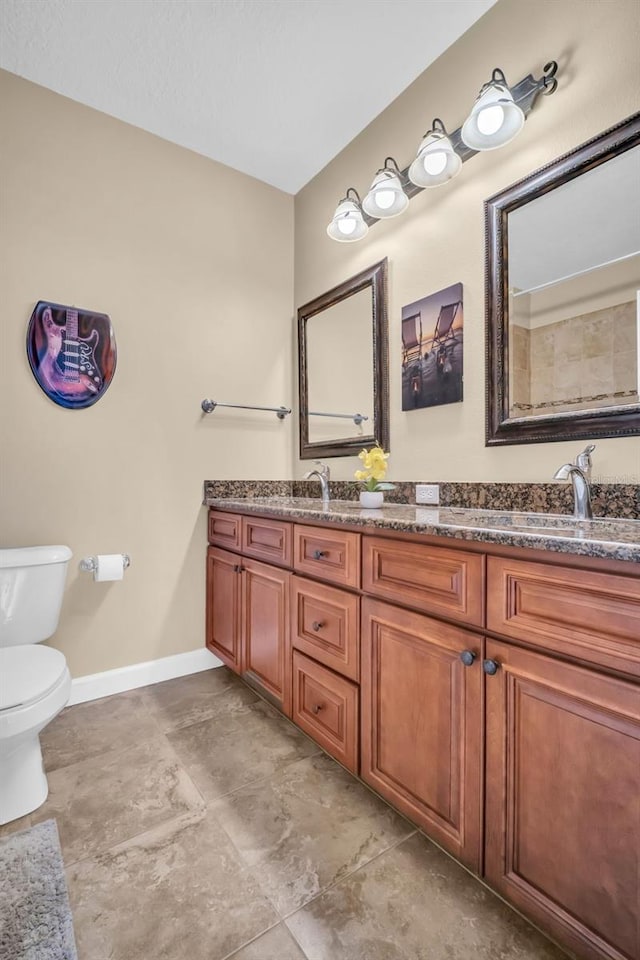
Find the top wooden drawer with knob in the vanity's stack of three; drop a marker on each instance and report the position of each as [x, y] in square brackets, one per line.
[332, 555]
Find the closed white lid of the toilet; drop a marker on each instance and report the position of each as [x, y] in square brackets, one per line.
[28, 672]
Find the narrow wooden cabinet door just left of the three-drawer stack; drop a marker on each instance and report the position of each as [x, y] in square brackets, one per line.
[265, 631]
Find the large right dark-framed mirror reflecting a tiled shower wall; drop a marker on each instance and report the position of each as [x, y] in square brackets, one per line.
[563, 296]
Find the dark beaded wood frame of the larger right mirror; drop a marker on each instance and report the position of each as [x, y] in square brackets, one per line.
[500, 429]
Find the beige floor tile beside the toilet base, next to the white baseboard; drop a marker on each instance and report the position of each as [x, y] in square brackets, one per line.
[92, 729]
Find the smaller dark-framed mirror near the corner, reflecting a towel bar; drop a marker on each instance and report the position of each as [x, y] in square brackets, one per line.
[343, 367]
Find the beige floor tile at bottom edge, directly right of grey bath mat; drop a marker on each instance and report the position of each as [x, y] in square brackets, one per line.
[180, 892]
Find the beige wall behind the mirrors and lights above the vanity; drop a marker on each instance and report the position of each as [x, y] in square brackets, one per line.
[440, 240]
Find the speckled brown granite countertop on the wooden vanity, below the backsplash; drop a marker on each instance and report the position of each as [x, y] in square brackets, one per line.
[609, 538]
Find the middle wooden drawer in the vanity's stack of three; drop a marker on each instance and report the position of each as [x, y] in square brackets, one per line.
[325, 624]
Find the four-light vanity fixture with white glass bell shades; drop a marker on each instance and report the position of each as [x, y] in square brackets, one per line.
[496, 117]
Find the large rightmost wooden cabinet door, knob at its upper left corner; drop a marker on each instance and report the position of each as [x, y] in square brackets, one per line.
[563, 799]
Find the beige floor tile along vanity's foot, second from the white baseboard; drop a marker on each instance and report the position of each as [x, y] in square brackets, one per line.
[226, 752]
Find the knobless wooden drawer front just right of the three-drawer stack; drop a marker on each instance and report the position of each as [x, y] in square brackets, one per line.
[448, 583]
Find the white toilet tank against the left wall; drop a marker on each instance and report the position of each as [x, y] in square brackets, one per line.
[31, 589]
